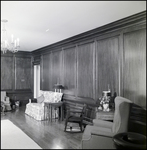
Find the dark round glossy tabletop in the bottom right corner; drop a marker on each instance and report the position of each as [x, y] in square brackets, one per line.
[129, 140]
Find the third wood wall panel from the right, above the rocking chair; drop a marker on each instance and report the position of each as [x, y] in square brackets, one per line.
[85, 70]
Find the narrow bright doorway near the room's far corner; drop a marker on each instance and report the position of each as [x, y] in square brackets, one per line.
[36, 81]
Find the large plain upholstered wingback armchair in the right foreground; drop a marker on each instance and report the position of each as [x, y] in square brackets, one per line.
[99, 136]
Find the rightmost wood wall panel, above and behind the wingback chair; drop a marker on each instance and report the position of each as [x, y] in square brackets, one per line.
[134, 69]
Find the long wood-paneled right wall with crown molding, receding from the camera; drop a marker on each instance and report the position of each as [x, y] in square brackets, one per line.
[86, 64]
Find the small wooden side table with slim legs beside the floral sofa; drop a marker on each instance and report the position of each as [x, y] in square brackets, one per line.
[49, 107]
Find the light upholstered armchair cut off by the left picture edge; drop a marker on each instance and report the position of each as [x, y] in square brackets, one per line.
[5, 100]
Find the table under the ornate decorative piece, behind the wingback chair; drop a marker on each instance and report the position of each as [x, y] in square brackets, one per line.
[105, 115]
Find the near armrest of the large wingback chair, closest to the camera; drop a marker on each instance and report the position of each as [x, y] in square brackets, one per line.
[102, 133]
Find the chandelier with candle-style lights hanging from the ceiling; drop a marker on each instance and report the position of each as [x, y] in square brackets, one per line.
[14, 45]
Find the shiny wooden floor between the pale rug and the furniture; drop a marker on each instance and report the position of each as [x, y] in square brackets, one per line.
[48, 135]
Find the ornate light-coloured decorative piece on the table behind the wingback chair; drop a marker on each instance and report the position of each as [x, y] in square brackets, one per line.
[104, 101]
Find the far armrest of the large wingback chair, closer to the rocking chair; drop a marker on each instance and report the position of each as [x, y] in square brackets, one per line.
[102, 123]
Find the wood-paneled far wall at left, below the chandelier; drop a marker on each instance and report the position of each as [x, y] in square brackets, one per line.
[16, 76]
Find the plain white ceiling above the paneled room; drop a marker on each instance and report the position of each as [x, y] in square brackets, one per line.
[41, 23]
